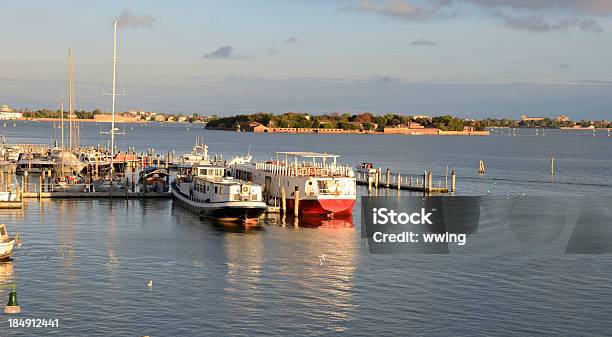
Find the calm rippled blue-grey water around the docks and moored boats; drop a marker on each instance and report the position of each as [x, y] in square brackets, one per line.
[86, 262]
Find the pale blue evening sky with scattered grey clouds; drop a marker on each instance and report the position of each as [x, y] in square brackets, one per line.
[469, 58]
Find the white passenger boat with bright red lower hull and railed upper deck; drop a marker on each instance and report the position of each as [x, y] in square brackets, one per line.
[324, 187]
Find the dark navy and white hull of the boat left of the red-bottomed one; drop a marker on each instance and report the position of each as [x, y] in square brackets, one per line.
[234, 211]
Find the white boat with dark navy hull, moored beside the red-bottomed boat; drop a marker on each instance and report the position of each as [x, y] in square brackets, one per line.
[206, 191]
